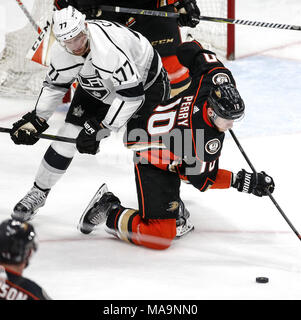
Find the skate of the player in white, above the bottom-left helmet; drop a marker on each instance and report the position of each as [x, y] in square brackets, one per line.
[27, 207]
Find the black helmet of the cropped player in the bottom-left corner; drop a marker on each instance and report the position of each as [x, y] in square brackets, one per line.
[17, 239]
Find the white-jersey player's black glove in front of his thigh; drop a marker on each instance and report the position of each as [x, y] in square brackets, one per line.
[86, 140]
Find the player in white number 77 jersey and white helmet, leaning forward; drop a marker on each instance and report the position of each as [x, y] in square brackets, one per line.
[119, 75]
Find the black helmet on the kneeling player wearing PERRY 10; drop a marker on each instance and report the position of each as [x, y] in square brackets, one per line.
[226, 102]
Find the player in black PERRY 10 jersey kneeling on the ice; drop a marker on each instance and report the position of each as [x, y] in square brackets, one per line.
[180, 139]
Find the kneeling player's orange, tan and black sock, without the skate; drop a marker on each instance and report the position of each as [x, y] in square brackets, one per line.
[127, 225]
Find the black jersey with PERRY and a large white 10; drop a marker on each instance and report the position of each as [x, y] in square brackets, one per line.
[177, 135]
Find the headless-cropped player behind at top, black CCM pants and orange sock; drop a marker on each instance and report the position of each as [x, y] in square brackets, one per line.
[163, 34]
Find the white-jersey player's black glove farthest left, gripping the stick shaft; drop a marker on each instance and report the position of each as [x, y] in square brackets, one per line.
[27, 130]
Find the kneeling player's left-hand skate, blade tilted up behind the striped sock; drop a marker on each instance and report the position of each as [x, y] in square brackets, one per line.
[98, 209]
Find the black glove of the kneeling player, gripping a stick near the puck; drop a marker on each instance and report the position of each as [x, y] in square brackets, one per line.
[256, 183]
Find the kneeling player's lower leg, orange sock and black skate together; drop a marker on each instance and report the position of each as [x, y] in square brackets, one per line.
[125, 223]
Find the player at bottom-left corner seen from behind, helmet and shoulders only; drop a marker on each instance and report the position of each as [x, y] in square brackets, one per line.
[17, 245]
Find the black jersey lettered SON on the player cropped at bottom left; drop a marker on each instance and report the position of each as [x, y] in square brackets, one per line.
[17, 287]
